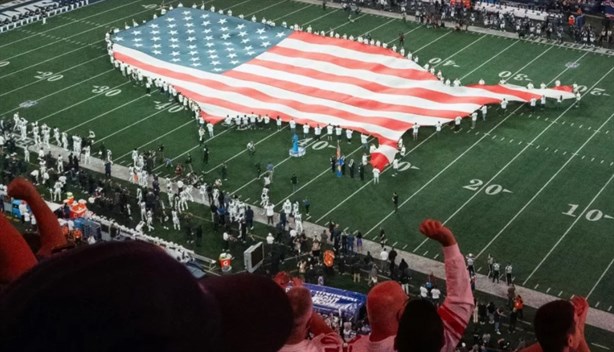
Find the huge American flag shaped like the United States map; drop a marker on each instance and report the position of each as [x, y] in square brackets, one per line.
[233, 66]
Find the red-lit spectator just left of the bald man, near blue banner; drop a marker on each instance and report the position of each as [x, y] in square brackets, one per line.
[306, 322]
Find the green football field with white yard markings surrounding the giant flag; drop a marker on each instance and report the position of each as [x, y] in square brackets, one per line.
[531, 188]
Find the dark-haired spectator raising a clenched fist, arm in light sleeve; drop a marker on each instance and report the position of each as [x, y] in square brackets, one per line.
[422, 328]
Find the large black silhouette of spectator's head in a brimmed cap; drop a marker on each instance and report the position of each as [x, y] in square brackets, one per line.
[132, 295]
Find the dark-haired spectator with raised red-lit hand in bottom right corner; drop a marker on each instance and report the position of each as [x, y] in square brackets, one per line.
[559, 326]
